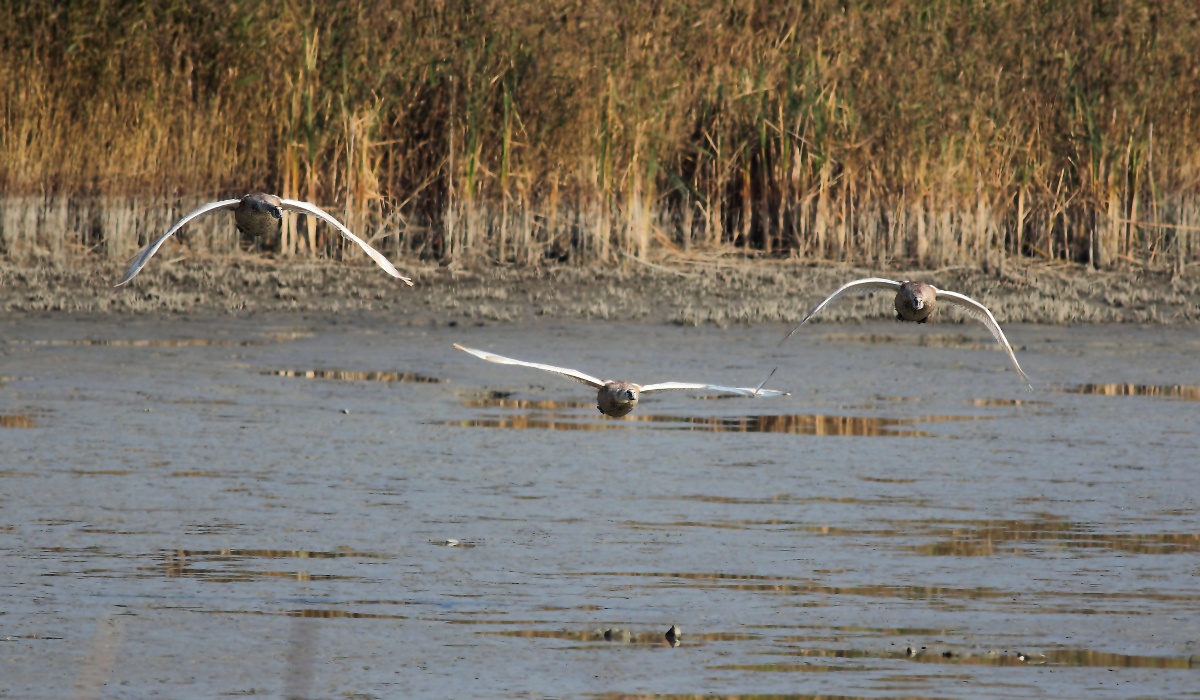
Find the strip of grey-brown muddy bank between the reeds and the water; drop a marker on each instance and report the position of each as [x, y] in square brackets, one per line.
[718, 292]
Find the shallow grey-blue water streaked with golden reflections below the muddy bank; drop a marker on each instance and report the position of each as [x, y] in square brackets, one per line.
[321, 507]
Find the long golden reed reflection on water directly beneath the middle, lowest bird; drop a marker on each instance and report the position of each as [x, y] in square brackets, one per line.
[799, 424]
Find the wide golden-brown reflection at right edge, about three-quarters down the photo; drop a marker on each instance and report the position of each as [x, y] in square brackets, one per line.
[988, 539]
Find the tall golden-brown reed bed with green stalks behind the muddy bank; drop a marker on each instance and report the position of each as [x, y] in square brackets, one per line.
[934, 133]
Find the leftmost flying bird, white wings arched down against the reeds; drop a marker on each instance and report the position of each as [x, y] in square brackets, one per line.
[260, 216]
